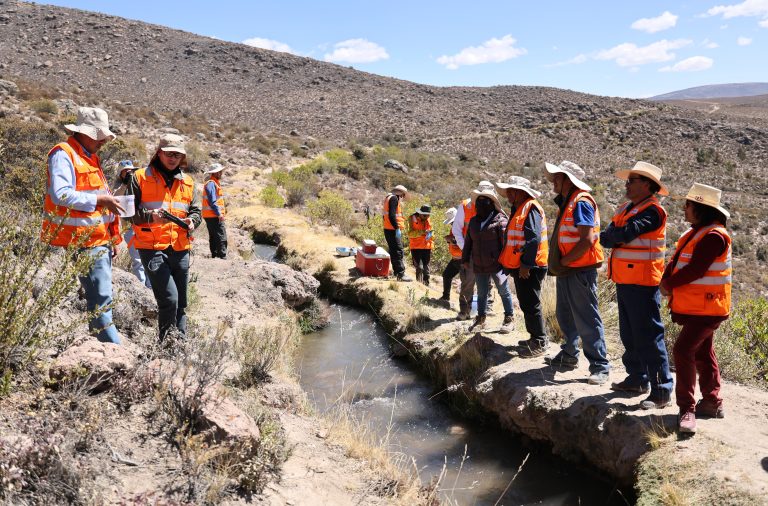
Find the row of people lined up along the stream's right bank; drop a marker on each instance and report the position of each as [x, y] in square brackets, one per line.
[488, 244]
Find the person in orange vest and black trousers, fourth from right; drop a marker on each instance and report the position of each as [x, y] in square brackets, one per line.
[524, 257]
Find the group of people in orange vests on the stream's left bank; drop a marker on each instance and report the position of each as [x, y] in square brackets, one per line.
[81, 211]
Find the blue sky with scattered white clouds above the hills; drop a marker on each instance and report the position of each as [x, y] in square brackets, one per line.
[630, 49]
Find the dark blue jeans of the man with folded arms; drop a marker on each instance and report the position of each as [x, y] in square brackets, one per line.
[645, 356]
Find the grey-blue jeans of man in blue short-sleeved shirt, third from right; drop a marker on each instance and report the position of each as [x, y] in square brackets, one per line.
[578, 316]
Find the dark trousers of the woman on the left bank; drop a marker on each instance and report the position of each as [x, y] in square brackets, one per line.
[168, 270]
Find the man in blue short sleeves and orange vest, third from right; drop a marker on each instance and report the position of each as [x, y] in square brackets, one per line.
[574, 256]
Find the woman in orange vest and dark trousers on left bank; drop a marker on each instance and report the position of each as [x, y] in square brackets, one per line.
[167, 211]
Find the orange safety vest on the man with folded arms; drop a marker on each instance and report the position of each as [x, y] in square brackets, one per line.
[640, 261]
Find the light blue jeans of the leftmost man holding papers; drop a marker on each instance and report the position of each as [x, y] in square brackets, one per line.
[97, 284]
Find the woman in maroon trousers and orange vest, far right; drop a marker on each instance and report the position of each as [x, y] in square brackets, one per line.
[698, 283]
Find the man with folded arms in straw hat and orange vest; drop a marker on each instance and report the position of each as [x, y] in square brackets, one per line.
[637, 236]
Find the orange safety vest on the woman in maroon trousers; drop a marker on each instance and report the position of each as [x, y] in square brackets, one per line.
[711, 294]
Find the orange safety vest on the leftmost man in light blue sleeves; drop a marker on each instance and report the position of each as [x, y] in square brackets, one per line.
[63, 226]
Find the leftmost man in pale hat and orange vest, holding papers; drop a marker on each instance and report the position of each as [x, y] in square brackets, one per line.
[80, 210]
